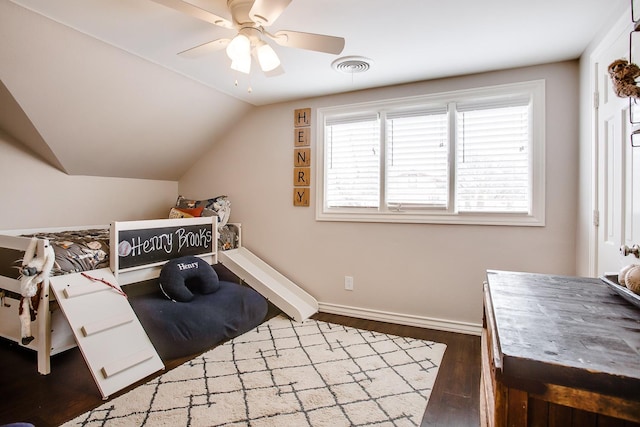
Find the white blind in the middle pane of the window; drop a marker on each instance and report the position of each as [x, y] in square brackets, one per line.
[417, 166]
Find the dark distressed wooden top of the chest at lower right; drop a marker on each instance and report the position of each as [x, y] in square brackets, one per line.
[570, 331]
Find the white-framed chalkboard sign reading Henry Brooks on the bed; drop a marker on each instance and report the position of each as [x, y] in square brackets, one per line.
[152, 245]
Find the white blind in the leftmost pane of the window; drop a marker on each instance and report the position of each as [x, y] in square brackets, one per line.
[352, 162]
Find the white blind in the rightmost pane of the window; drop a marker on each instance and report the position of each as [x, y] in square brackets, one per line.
[493, 167]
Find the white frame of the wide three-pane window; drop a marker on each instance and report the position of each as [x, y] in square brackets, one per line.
[536, 217]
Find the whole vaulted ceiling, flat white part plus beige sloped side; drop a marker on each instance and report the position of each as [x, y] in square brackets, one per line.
[97, 88]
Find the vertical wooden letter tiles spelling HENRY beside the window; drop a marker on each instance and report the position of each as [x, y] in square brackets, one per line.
[301, 156]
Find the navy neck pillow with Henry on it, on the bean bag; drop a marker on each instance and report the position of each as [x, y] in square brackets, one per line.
[180, 277]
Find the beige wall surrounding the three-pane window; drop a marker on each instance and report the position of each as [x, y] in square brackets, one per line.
[429, 273]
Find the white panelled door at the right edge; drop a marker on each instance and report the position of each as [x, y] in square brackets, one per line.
[618, 199]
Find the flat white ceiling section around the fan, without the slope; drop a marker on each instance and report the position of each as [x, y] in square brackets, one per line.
[406, 40]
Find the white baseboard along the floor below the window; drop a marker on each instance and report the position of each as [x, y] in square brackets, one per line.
[402, 319]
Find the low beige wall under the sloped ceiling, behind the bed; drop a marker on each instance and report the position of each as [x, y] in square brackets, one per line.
[37, 195]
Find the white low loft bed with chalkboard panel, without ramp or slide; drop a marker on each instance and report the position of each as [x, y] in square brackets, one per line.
[135, 251]
